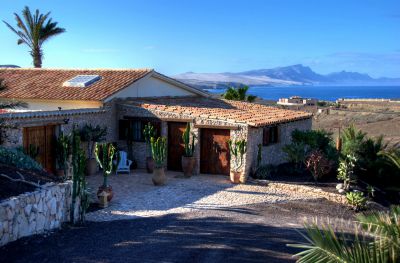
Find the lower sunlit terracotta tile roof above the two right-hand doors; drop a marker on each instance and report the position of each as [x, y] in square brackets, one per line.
[255, 115]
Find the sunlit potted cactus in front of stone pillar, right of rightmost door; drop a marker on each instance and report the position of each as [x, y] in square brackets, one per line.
[237, 150]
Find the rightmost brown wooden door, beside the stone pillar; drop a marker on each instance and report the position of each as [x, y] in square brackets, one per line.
[214, 151]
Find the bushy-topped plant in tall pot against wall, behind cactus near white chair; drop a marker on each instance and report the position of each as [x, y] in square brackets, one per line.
[91, 135]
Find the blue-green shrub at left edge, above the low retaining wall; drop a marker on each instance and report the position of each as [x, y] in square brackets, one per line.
[17, 158]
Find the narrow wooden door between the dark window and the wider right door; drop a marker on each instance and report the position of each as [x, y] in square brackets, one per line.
[176, 147]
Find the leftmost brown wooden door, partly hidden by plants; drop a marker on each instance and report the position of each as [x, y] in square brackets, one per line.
[43, 139]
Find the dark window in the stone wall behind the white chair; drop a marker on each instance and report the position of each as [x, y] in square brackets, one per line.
[134, 128]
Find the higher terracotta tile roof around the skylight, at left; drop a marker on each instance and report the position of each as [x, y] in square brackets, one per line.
[48, 83]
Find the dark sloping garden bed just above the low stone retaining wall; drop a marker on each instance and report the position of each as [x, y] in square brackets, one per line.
[10, 188]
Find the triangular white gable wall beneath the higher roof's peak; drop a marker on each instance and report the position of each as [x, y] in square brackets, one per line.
[151, 87]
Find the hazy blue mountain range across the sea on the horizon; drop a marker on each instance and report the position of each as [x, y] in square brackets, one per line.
[281, 76]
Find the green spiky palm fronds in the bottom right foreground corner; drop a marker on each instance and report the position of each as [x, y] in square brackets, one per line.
[376, 240]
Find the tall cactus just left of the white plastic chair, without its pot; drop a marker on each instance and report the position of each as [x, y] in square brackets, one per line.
[104, 153]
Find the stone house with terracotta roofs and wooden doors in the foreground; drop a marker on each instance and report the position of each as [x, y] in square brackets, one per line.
[129, 99]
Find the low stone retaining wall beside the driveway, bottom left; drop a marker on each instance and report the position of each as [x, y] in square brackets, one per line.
[35, 212]
